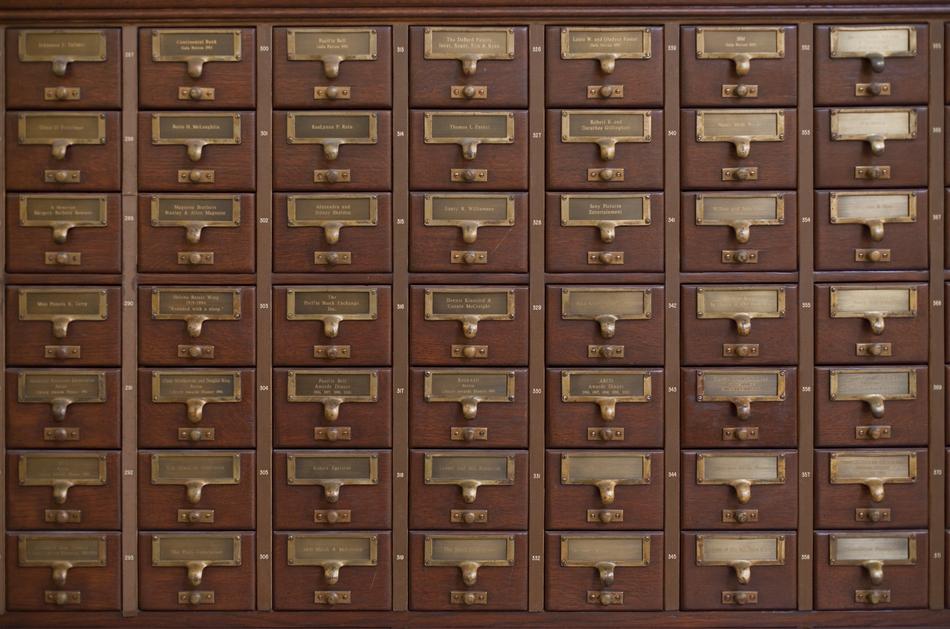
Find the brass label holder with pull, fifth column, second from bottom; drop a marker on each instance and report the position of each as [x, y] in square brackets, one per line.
[605, 470]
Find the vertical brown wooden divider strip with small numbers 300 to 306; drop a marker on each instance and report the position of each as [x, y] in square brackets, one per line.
[264, 381]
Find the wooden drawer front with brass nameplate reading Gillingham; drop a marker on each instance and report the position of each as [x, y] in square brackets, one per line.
[604, 149]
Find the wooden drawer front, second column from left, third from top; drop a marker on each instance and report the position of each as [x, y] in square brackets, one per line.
[196, 233]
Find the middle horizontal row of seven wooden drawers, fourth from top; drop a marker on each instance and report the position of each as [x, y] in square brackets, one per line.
[751, 324]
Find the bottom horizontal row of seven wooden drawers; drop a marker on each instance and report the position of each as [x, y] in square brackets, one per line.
[584, 571]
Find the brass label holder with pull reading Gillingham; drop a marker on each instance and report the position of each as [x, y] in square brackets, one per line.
[606, 128]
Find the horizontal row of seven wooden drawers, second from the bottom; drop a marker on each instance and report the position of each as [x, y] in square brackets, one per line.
[451, 489]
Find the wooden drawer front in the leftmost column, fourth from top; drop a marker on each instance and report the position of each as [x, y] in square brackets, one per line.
[63, 327]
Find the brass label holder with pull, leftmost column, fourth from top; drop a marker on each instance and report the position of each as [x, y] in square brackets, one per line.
[62, 306]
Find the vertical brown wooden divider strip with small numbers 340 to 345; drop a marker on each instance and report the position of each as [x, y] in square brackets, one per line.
[671, 363]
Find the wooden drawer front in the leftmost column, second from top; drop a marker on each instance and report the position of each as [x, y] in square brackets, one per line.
[63, 151]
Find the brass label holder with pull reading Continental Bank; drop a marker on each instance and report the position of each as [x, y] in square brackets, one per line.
[196, 47]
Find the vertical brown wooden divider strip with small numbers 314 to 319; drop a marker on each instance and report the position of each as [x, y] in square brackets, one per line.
[400, 317]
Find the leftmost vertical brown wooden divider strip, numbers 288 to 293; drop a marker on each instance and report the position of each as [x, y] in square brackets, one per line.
[129, 397]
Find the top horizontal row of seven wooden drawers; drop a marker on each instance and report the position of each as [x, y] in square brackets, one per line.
[462, 66]
